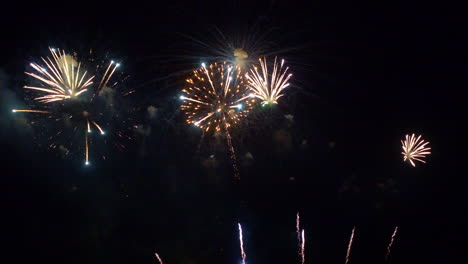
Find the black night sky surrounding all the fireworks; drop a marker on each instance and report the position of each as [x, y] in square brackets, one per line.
[364, 75]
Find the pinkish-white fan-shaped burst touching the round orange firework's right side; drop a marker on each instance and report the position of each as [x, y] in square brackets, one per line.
[268, 87]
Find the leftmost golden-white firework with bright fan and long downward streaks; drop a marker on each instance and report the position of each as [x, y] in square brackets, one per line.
[60, 85]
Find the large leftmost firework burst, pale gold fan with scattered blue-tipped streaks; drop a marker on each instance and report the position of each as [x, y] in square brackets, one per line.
[64, 91]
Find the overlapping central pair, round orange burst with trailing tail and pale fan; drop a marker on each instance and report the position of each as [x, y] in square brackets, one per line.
[219, 96]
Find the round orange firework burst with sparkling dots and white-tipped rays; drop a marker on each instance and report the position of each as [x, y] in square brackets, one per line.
[216, 97]
